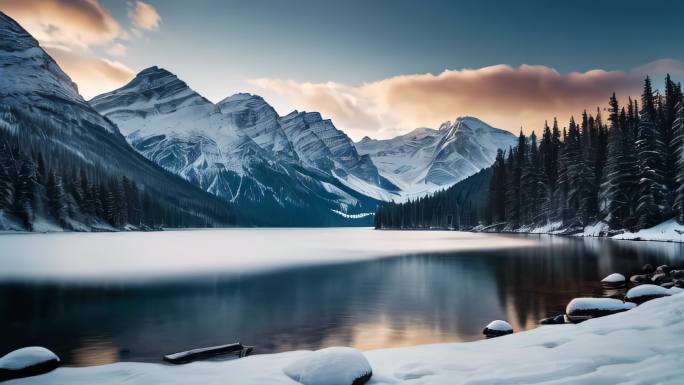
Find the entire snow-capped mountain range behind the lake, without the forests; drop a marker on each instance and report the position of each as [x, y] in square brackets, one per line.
[292, 170]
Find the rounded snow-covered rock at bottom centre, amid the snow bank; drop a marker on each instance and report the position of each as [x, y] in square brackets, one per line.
[330, 366]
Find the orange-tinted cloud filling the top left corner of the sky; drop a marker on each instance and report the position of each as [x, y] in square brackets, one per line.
[67, 23]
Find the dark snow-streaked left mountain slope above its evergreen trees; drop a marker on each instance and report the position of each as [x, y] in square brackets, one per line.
[43, 113]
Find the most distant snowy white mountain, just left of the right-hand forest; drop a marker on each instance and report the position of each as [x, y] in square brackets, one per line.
[425, 159]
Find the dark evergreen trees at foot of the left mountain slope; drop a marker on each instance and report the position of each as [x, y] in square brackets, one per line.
[40, 180]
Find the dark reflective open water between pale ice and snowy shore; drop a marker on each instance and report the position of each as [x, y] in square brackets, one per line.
[370, 303]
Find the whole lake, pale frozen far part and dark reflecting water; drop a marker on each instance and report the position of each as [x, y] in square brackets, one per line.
[101, 298]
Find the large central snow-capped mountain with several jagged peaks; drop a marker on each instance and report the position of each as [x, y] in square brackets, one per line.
[298, 168]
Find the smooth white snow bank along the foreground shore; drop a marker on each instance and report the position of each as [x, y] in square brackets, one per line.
[642, 345]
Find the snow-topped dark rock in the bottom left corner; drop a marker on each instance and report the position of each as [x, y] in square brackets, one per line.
[29, 361]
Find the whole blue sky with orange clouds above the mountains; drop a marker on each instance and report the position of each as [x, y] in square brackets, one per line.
[378, 68]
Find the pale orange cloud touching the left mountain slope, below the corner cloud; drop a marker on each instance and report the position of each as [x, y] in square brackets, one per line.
[93, 75]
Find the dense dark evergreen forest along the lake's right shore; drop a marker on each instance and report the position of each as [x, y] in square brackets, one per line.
[627, 171]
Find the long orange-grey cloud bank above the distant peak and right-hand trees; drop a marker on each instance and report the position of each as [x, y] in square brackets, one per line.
[504, 96]
